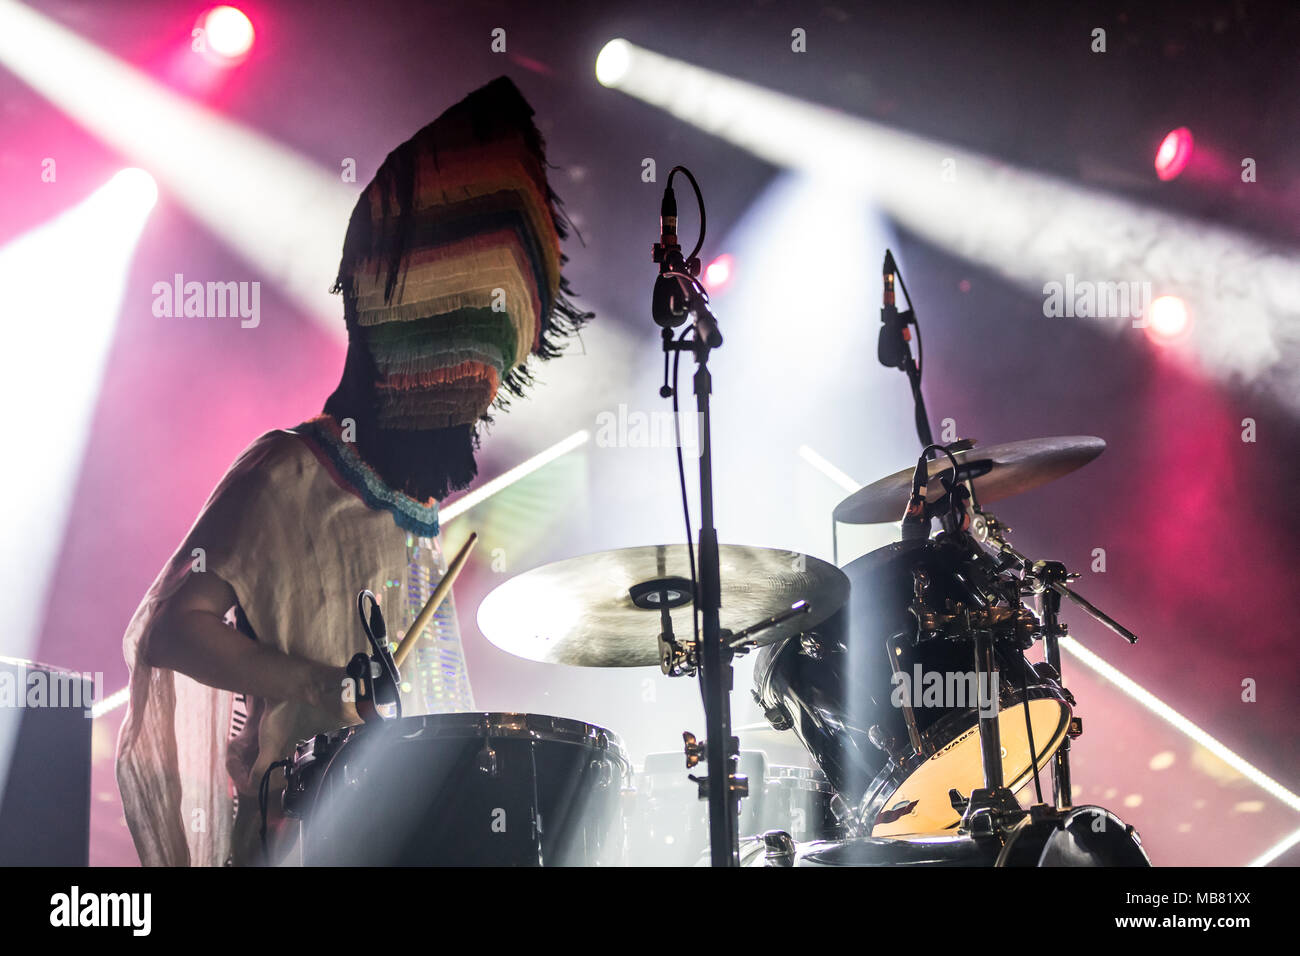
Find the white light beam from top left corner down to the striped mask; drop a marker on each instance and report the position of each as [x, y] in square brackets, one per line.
[279, 211]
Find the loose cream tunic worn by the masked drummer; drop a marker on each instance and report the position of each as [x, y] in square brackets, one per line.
[293, 537]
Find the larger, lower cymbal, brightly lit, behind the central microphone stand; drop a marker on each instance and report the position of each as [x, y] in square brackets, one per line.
[603, 611]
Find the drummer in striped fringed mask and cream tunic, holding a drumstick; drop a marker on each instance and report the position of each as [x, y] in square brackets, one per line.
[450, 280]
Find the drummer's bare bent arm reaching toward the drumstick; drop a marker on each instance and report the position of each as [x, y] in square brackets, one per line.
[192, 638]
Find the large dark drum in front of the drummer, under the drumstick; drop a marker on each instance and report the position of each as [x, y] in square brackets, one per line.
[461, 790]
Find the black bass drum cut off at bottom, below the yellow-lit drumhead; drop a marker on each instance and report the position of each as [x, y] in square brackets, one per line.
[1080, 837]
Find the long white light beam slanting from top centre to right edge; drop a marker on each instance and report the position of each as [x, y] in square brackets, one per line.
[1021, 224]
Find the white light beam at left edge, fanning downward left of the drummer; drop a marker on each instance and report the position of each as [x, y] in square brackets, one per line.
[64, 284]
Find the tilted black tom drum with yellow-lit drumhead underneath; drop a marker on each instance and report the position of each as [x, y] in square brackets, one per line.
[842, 690]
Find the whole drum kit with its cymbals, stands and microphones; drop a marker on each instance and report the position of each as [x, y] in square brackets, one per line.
[904, 676]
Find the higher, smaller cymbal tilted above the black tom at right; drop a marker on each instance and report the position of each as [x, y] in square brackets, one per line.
[1002, 471]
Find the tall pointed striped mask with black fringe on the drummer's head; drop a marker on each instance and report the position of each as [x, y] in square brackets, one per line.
[452, 280]
